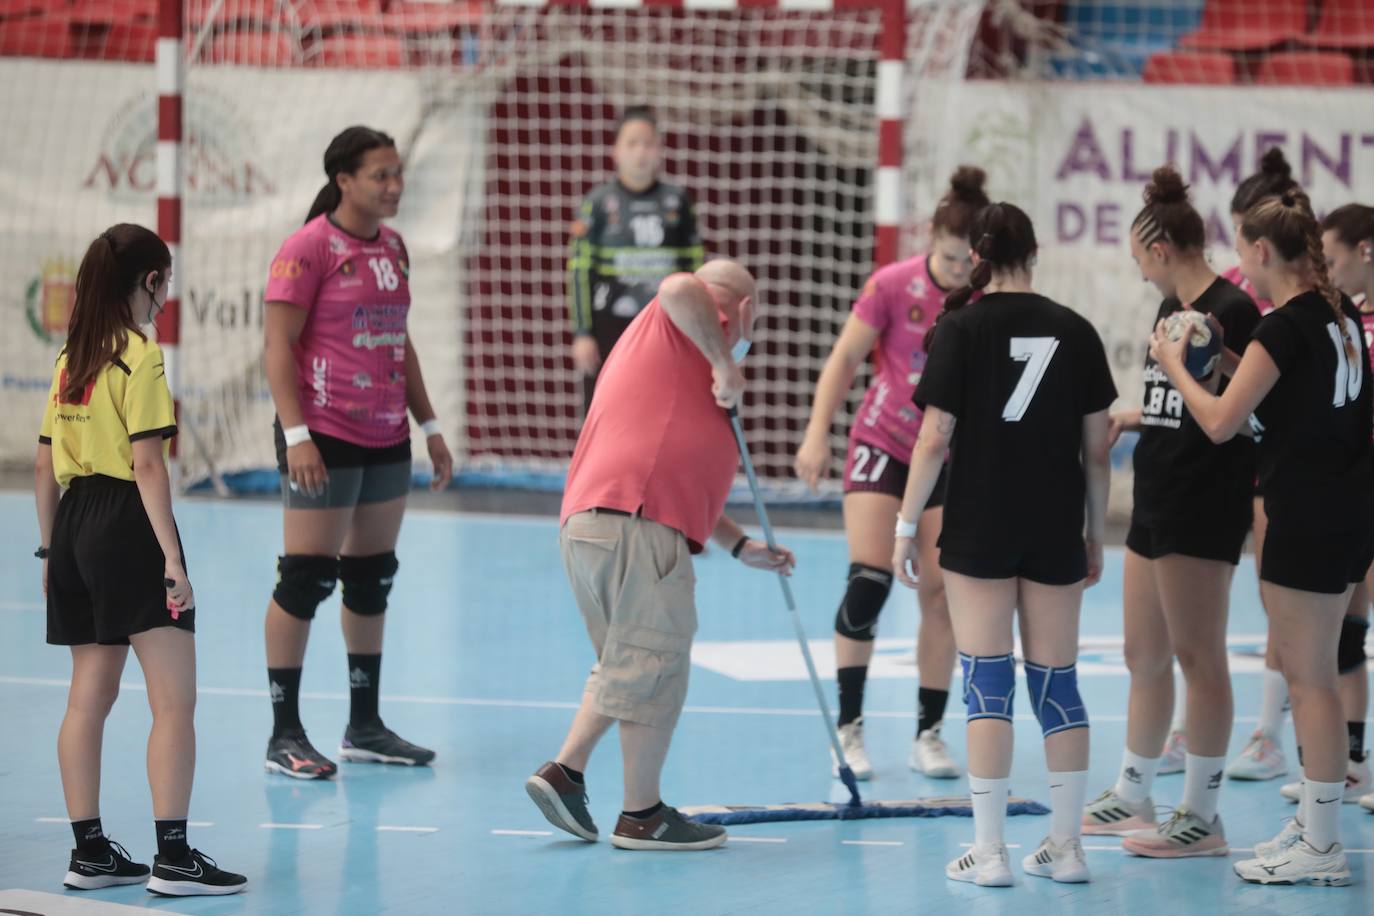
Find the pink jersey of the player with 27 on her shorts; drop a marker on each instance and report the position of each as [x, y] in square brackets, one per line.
[902, 303]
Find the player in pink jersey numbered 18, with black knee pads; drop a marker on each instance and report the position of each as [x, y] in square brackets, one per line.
[343, 374]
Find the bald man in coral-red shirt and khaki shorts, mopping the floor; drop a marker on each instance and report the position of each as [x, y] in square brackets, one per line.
[646, 488]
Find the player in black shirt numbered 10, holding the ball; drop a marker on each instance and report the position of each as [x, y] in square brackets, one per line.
[1306, 378]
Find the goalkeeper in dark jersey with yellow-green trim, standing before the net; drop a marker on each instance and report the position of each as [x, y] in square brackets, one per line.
[630, 234]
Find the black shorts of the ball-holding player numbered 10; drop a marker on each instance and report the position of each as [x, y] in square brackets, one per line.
[1313, 560]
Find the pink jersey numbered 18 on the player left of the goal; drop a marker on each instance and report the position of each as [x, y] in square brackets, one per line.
[351, 359]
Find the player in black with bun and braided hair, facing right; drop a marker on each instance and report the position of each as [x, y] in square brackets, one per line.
[1192, 513]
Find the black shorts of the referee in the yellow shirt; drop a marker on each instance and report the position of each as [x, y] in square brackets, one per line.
[105, 568]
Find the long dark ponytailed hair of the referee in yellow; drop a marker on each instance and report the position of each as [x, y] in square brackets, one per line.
[102, 317]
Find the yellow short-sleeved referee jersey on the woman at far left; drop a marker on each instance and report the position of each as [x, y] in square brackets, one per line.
[127, 402]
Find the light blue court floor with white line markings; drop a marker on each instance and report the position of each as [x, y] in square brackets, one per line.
[484, 663]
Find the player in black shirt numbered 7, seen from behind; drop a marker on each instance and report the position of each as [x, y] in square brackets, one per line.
[1016, 389]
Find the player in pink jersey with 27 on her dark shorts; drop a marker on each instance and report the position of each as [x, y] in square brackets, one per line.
[891, 319]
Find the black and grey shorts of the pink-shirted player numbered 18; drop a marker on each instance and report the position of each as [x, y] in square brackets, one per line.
[358, 474]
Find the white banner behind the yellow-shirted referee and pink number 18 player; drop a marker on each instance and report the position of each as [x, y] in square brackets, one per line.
[83, 160]
